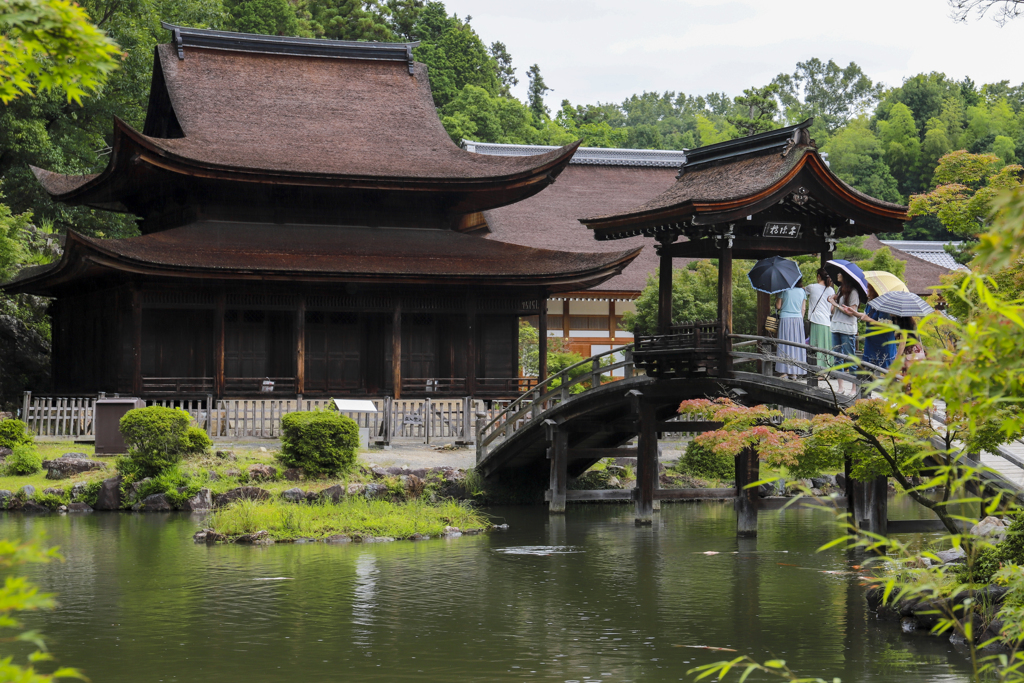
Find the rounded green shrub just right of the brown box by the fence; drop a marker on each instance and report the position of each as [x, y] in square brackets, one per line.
[157, 439]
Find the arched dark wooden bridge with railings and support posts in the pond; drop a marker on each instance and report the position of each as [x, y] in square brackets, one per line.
[576, 417]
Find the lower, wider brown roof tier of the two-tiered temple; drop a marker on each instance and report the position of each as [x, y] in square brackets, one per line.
[321, 253]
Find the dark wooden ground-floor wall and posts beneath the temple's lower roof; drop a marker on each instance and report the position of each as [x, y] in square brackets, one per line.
[138, 338]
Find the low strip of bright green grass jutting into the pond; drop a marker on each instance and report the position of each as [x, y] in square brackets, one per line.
[353, 517]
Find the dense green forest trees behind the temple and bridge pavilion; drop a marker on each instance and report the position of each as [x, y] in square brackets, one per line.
[885, 141]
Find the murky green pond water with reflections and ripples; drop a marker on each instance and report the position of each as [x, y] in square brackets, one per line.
[587, 596]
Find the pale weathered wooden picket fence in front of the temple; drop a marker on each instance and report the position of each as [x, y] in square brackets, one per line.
[421, 419]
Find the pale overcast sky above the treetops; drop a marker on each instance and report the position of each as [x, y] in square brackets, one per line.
[606, 51]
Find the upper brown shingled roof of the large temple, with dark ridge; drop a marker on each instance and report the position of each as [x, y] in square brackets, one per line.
[244, 109]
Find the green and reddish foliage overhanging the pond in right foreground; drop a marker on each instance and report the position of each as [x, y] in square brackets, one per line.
[975, 594]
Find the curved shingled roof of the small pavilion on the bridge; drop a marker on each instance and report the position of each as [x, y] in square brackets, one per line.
[744, 176]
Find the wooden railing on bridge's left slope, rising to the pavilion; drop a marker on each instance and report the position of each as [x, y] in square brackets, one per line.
[556, 391]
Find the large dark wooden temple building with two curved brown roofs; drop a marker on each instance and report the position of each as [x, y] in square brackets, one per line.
[306, 222]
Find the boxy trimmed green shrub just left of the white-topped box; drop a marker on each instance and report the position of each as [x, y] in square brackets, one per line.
[319, 442]
